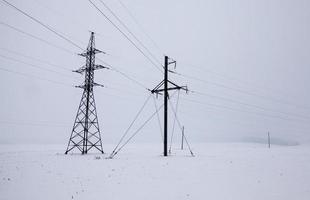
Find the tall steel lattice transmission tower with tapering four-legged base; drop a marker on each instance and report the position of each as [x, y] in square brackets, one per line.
[85, 133]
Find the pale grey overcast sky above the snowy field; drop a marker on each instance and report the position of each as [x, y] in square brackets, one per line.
[247, 60]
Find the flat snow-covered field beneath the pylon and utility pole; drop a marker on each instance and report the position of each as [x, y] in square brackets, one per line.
[240, 171]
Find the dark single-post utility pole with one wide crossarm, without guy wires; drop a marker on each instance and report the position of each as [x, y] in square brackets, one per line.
[166, 88]
